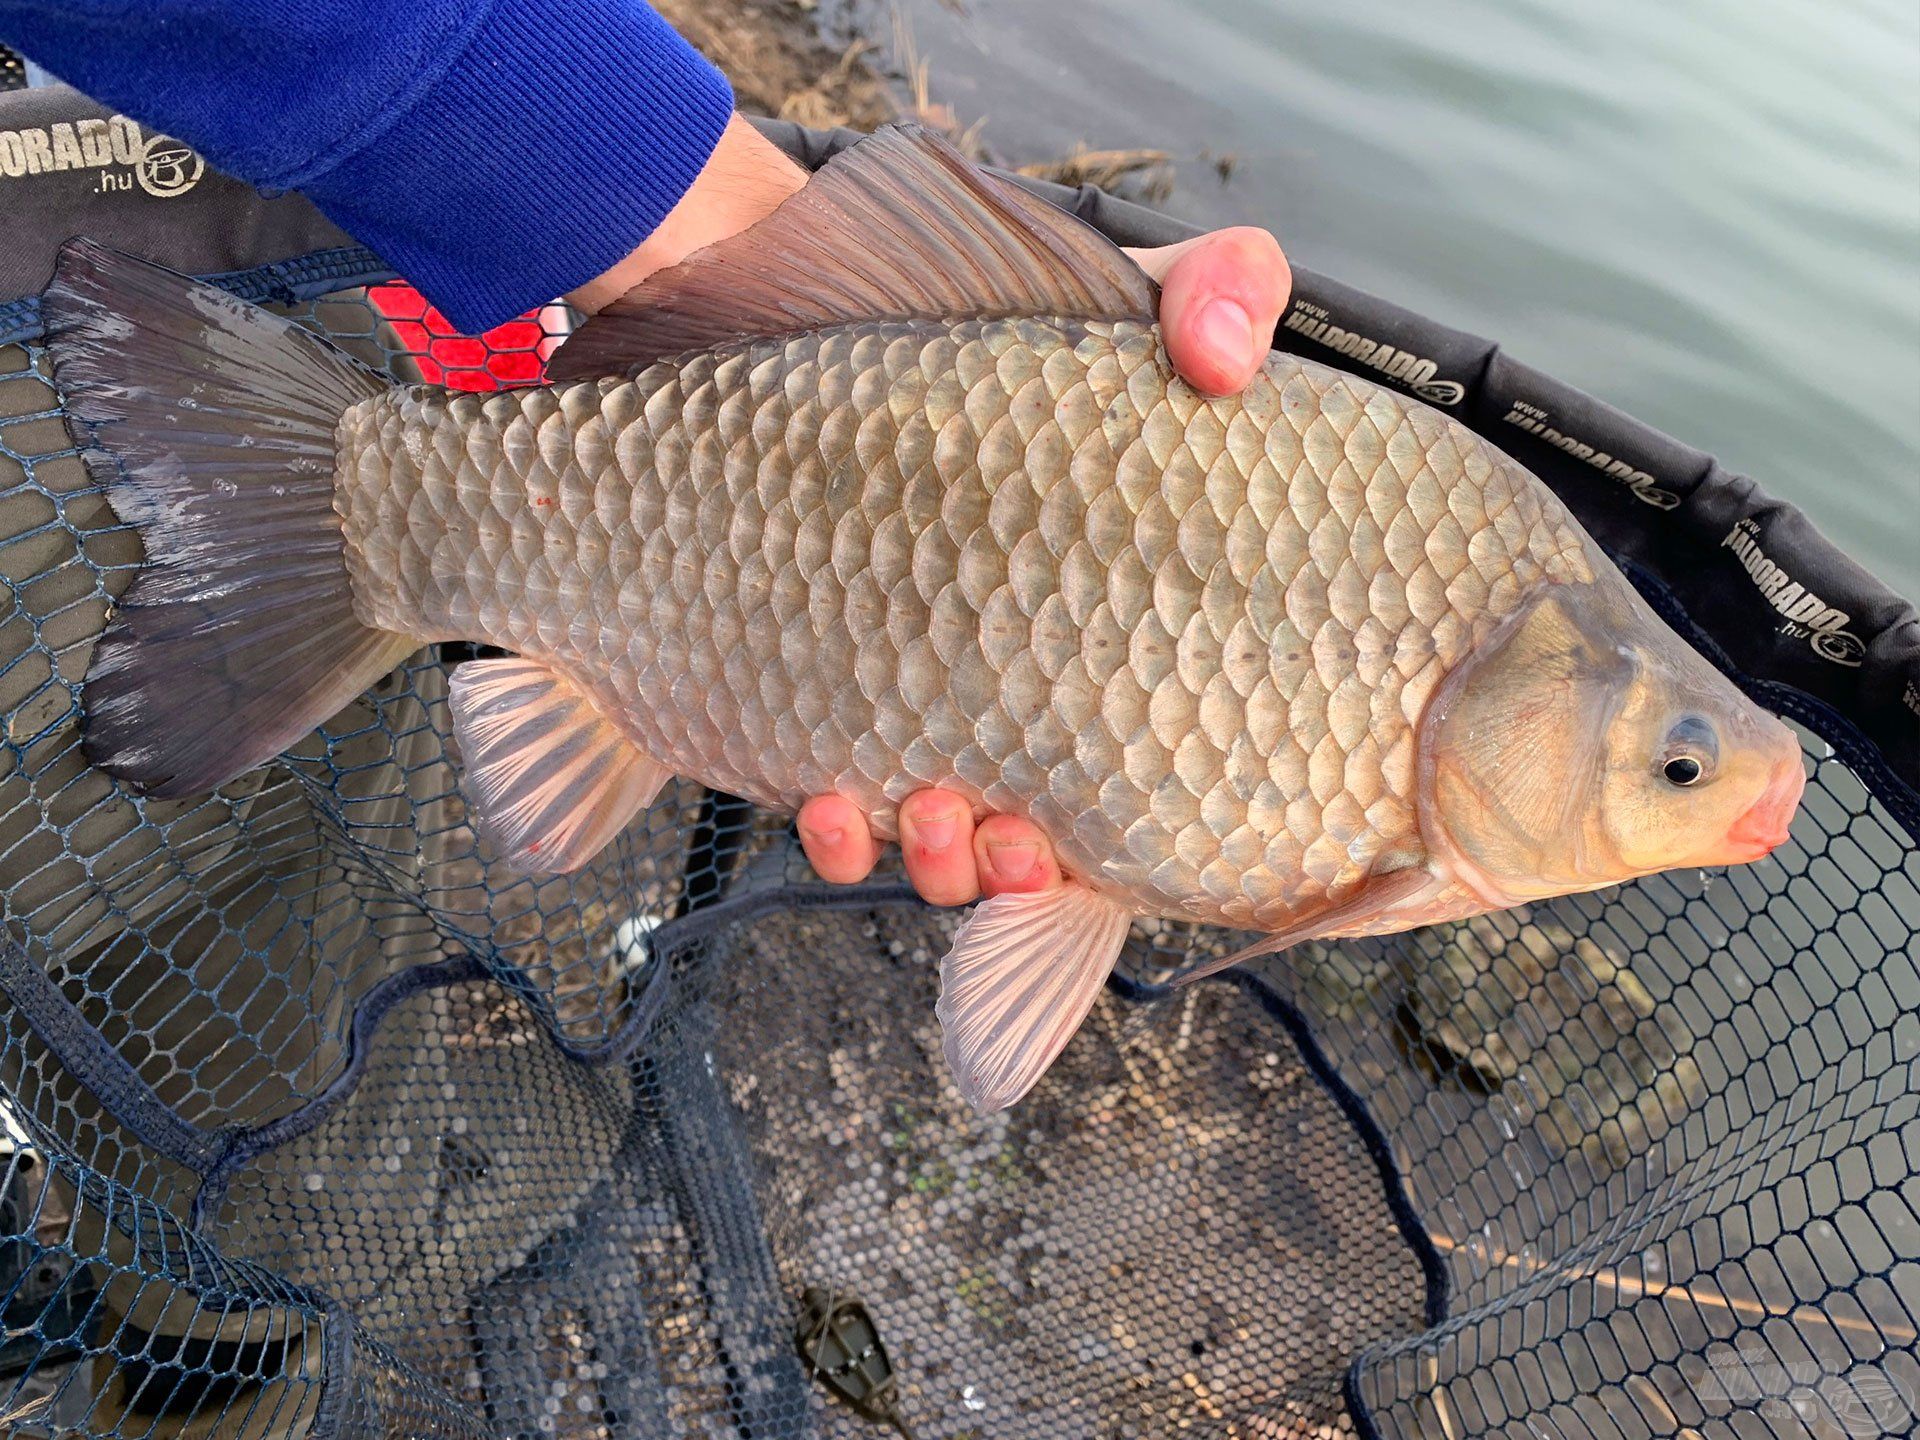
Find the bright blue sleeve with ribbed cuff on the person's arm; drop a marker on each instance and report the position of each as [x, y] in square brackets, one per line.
[496, 153]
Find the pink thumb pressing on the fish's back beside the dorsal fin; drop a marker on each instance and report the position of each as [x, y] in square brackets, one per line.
[1220, 299]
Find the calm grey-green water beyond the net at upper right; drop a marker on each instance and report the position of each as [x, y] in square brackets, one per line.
[1706, 212]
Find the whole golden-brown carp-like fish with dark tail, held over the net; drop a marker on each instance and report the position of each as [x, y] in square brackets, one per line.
[896, 491]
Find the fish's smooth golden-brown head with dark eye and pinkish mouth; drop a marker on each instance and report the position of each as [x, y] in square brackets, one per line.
[1587, 744]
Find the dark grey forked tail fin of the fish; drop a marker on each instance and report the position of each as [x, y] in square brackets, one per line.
[210, 423]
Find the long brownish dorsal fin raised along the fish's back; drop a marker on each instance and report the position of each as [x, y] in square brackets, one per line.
[896, 228]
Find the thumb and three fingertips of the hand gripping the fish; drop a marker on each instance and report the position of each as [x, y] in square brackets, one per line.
[1220, 299]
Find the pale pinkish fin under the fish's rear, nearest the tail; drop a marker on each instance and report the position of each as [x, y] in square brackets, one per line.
[550, 780]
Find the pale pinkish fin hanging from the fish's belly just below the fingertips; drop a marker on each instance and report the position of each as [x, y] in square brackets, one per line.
[1019, 982]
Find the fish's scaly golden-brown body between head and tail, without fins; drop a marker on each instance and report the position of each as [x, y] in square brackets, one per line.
[1188, 636]
